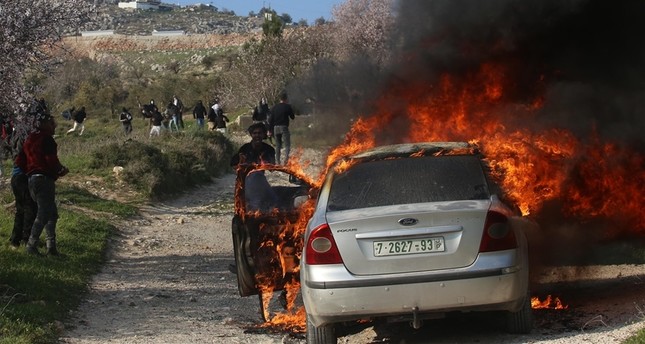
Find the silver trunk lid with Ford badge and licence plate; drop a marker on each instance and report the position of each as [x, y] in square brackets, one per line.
[409, 238]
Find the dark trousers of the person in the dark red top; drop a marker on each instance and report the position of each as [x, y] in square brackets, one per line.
[43, 191]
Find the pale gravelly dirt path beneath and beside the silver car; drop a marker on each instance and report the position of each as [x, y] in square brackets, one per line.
[167, 281]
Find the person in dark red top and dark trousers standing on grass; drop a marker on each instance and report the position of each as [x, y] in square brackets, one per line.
[43, 168]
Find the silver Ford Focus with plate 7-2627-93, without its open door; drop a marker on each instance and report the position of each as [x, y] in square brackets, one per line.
[409, 232]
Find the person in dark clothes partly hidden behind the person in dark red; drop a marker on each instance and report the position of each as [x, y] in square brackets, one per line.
[26, 207]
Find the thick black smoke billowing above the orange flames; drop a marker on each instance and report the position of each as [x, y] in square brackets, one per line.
[584, 57]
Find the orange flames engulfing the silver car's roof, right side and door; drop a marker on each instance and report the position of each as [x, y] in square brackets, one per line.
[592, 179]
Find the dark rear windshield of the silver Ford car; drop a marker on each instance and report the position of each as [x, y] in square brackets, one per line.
[409, 180]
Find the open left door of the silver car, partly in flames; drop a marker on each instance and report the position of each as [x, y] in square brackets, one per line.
[267, 205]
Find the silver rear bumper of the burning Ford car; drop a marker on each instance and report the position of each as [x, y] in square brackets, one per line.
[471, 289]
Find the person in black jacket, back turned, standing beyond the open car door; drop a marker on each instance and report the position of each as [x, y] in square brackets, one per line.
[279, 127]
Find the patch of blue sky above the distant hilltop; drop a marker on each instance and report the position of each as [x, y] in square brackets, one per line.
[298, 9]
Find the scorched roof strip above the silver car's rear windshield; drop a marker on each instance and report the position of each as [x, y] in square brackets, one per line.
[407, 149]
